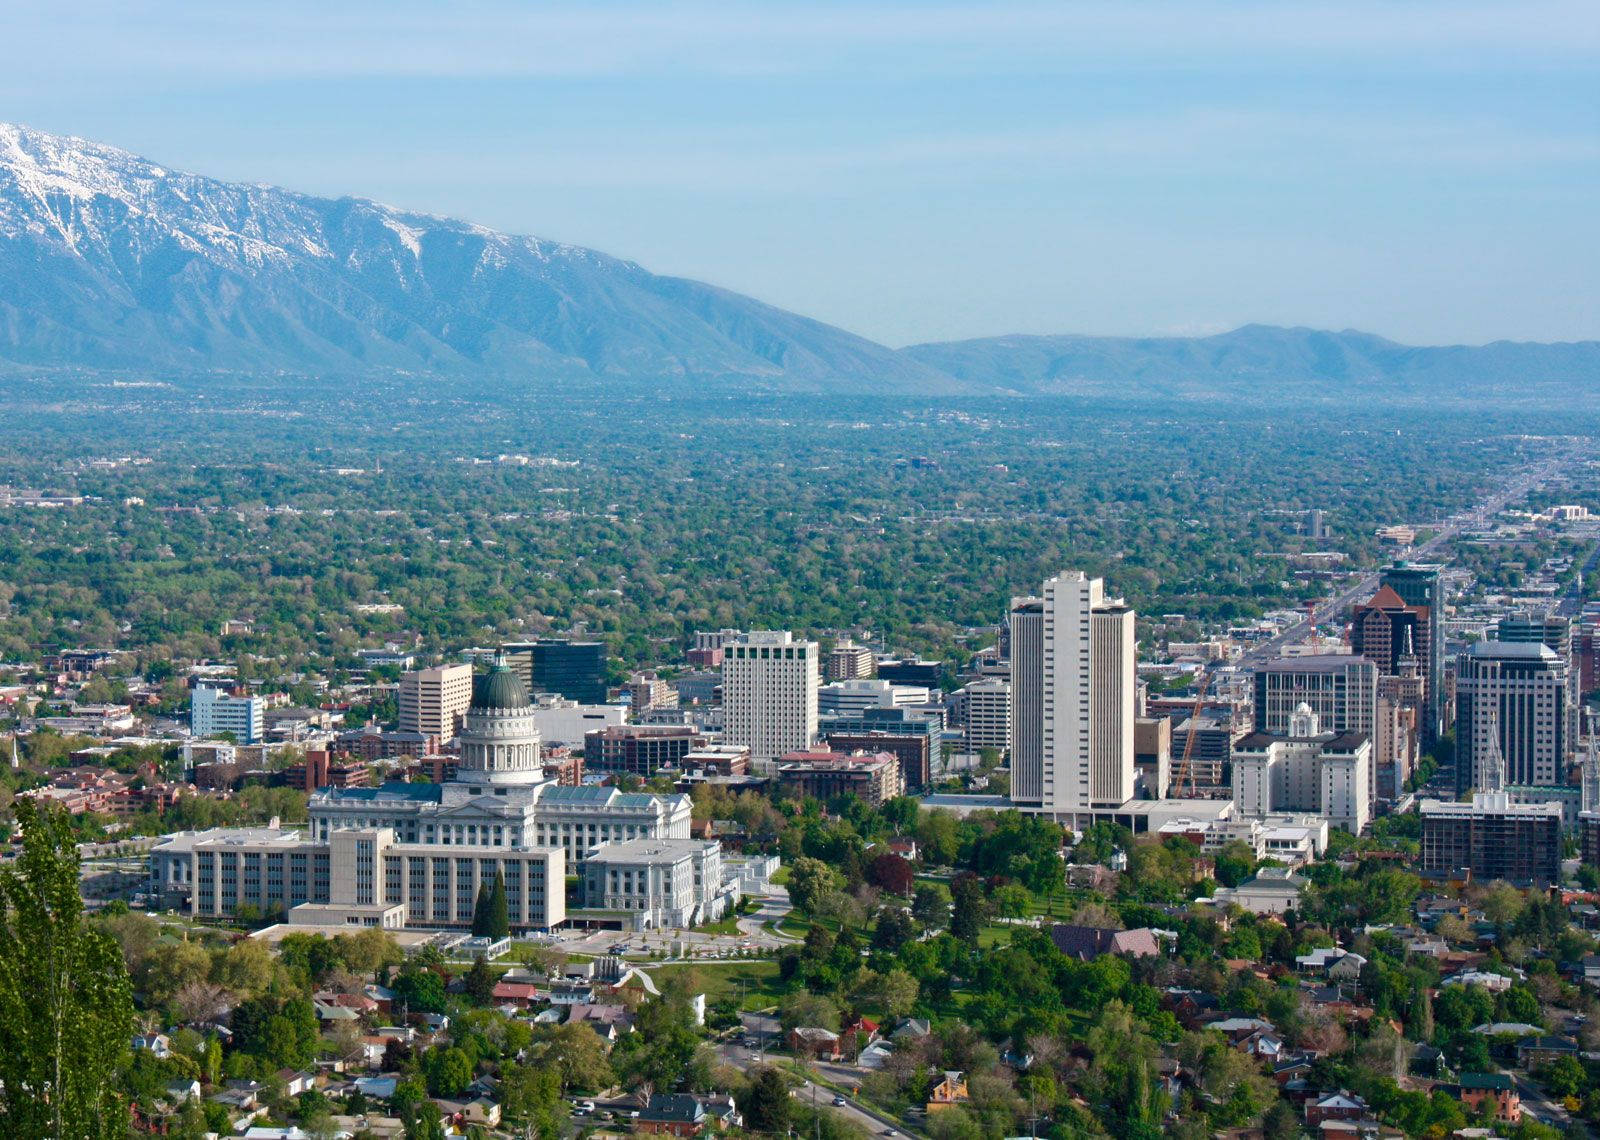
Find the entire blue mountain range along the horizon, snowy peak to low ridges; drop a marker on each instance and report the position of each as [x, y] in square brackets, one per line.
[111, 262]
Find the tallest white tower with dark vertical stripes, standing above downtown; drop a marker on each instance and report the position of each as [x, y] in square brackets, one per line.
[1073, 699]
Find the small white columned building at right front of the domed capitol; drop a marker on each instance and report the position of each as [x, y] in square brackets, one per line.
[658, 883]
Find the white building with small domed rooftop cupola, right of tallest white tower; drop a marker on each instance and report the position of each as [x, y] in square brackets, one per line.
[1305, 771]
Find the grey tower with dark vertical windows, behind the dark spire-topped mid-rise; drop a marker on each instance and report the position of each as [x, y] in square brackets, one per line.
[1511, 708]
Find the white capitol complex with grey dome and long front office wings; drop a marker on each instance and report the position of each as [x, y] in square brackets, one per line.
[415, 854]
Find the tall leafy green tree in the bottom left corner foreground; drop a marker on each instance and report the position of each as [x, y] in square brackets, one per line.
[66, 1003]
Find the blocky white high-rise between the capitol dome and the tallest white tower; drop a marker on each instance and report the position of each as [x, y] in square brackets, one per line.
[769, 694]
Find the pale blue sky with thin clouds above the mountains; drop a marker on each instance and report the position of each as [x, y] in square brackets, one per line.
[1428, 171]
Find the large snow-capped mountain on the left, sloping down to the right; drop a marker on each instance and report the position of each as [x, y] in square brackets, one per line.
[111, 260]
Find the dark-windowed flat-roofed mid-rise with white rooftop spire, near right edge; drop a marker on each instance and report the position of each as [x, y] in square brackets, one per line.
[1494, 838]
